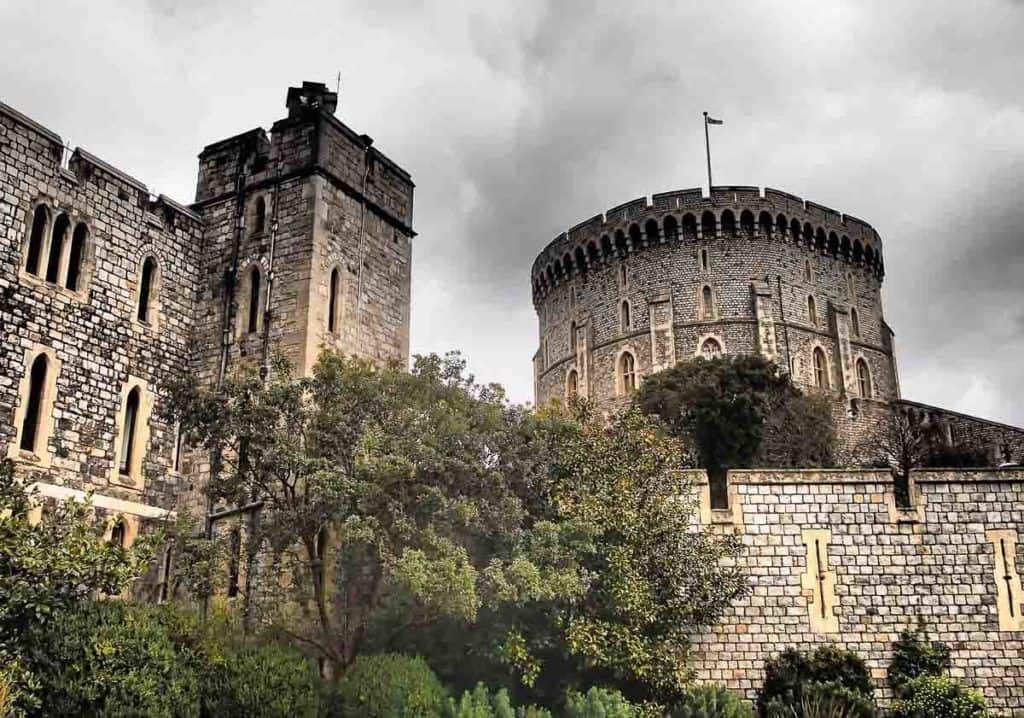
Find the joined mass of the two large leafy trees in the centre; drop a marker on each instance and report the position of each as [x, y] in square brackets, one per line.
[403, 503]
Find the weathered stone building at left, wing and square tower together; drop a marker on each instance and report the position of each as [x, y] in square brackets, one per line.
[285, 227]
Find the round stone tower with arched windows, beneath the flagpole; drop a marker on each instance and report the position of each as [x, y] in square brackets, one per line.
[646, 285]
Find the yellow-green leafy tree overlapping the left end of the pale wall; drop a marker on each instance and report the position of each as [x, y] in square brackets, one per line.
[613, 504]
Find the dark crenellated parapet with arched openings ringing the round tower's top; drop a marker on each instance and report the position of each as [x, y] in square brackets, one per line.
[687, 216]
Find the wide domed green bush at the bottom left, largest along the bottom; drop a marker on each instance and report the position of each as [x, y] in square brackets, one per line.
[110, 659]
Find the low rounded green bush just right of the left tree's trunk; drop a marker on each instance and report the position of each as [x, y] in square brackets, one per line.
[388, 686]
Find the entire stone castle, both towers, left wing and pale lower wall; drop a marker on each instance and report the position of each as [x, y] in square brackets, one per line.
[300, 240]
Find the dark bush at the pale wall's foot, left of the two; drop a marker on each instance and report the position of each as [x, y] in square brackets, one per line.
[789, 677]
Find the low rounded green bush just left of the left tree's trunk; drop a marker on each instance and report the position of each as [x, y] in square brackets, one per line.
[271, 681]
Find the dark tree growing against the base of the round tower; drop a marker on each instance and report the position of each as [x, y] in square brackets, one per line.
[734, 412]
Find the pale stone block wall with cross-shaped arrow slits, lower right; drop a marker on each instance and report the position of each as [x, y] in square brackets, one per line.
[832, 561]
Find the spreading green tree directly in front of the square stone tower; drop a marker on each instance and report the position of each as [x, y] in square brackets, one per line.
[386, 494]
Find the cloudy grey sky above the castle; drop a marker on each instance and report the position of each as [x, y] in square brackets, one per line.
[519, 120]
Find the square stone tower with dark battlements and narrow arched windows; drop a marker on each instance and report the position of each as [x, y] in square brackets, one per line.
[307, 244]
